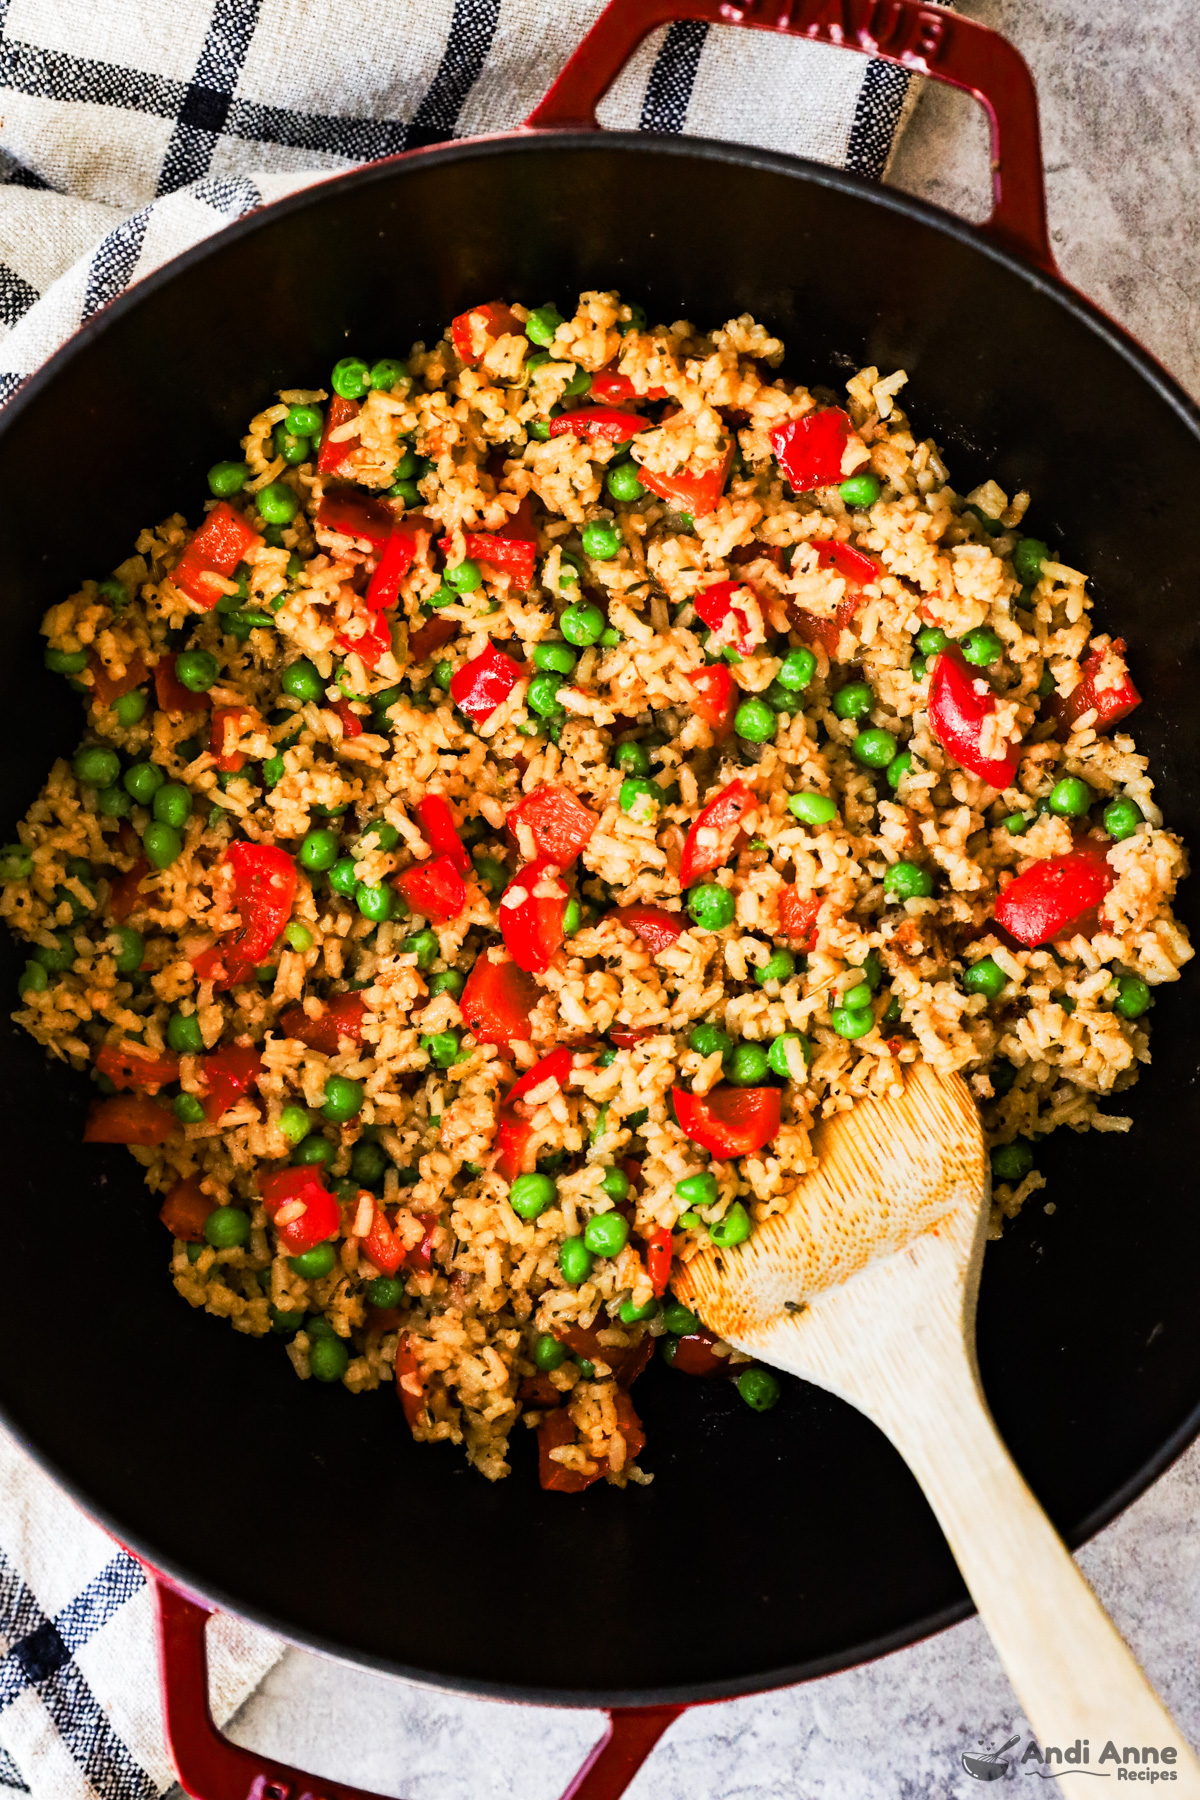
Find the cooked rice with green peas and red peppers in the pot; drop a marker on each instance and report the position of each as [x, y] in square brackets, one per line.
[474, 1308]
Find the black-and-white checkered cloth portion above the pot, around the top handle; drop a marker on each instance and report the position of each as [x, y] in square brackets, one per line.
[132, 129]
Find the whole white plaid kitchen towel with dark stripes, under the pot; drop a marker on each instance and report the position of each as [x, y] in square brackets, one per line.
[129, 132]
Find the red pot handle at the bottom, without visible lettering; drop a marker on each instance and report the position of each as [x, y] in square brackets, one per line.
[211, 1768]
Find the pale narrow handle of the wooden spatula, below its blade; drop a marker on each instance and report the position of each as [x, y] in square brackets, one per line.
[1071, 1669]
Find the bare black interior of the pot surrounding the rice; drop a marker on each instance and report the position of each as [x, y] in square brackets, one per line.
[767, 1547]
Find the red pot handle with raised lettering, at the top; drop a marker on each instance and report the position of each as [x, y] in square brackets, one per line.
[926, 39]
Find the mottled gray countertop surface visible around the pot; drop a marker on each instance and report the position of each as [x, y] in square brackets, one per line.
[1122, 132]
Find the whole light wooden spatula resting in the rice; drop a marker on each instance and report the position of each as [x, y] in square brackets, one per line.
[866, 1286]
